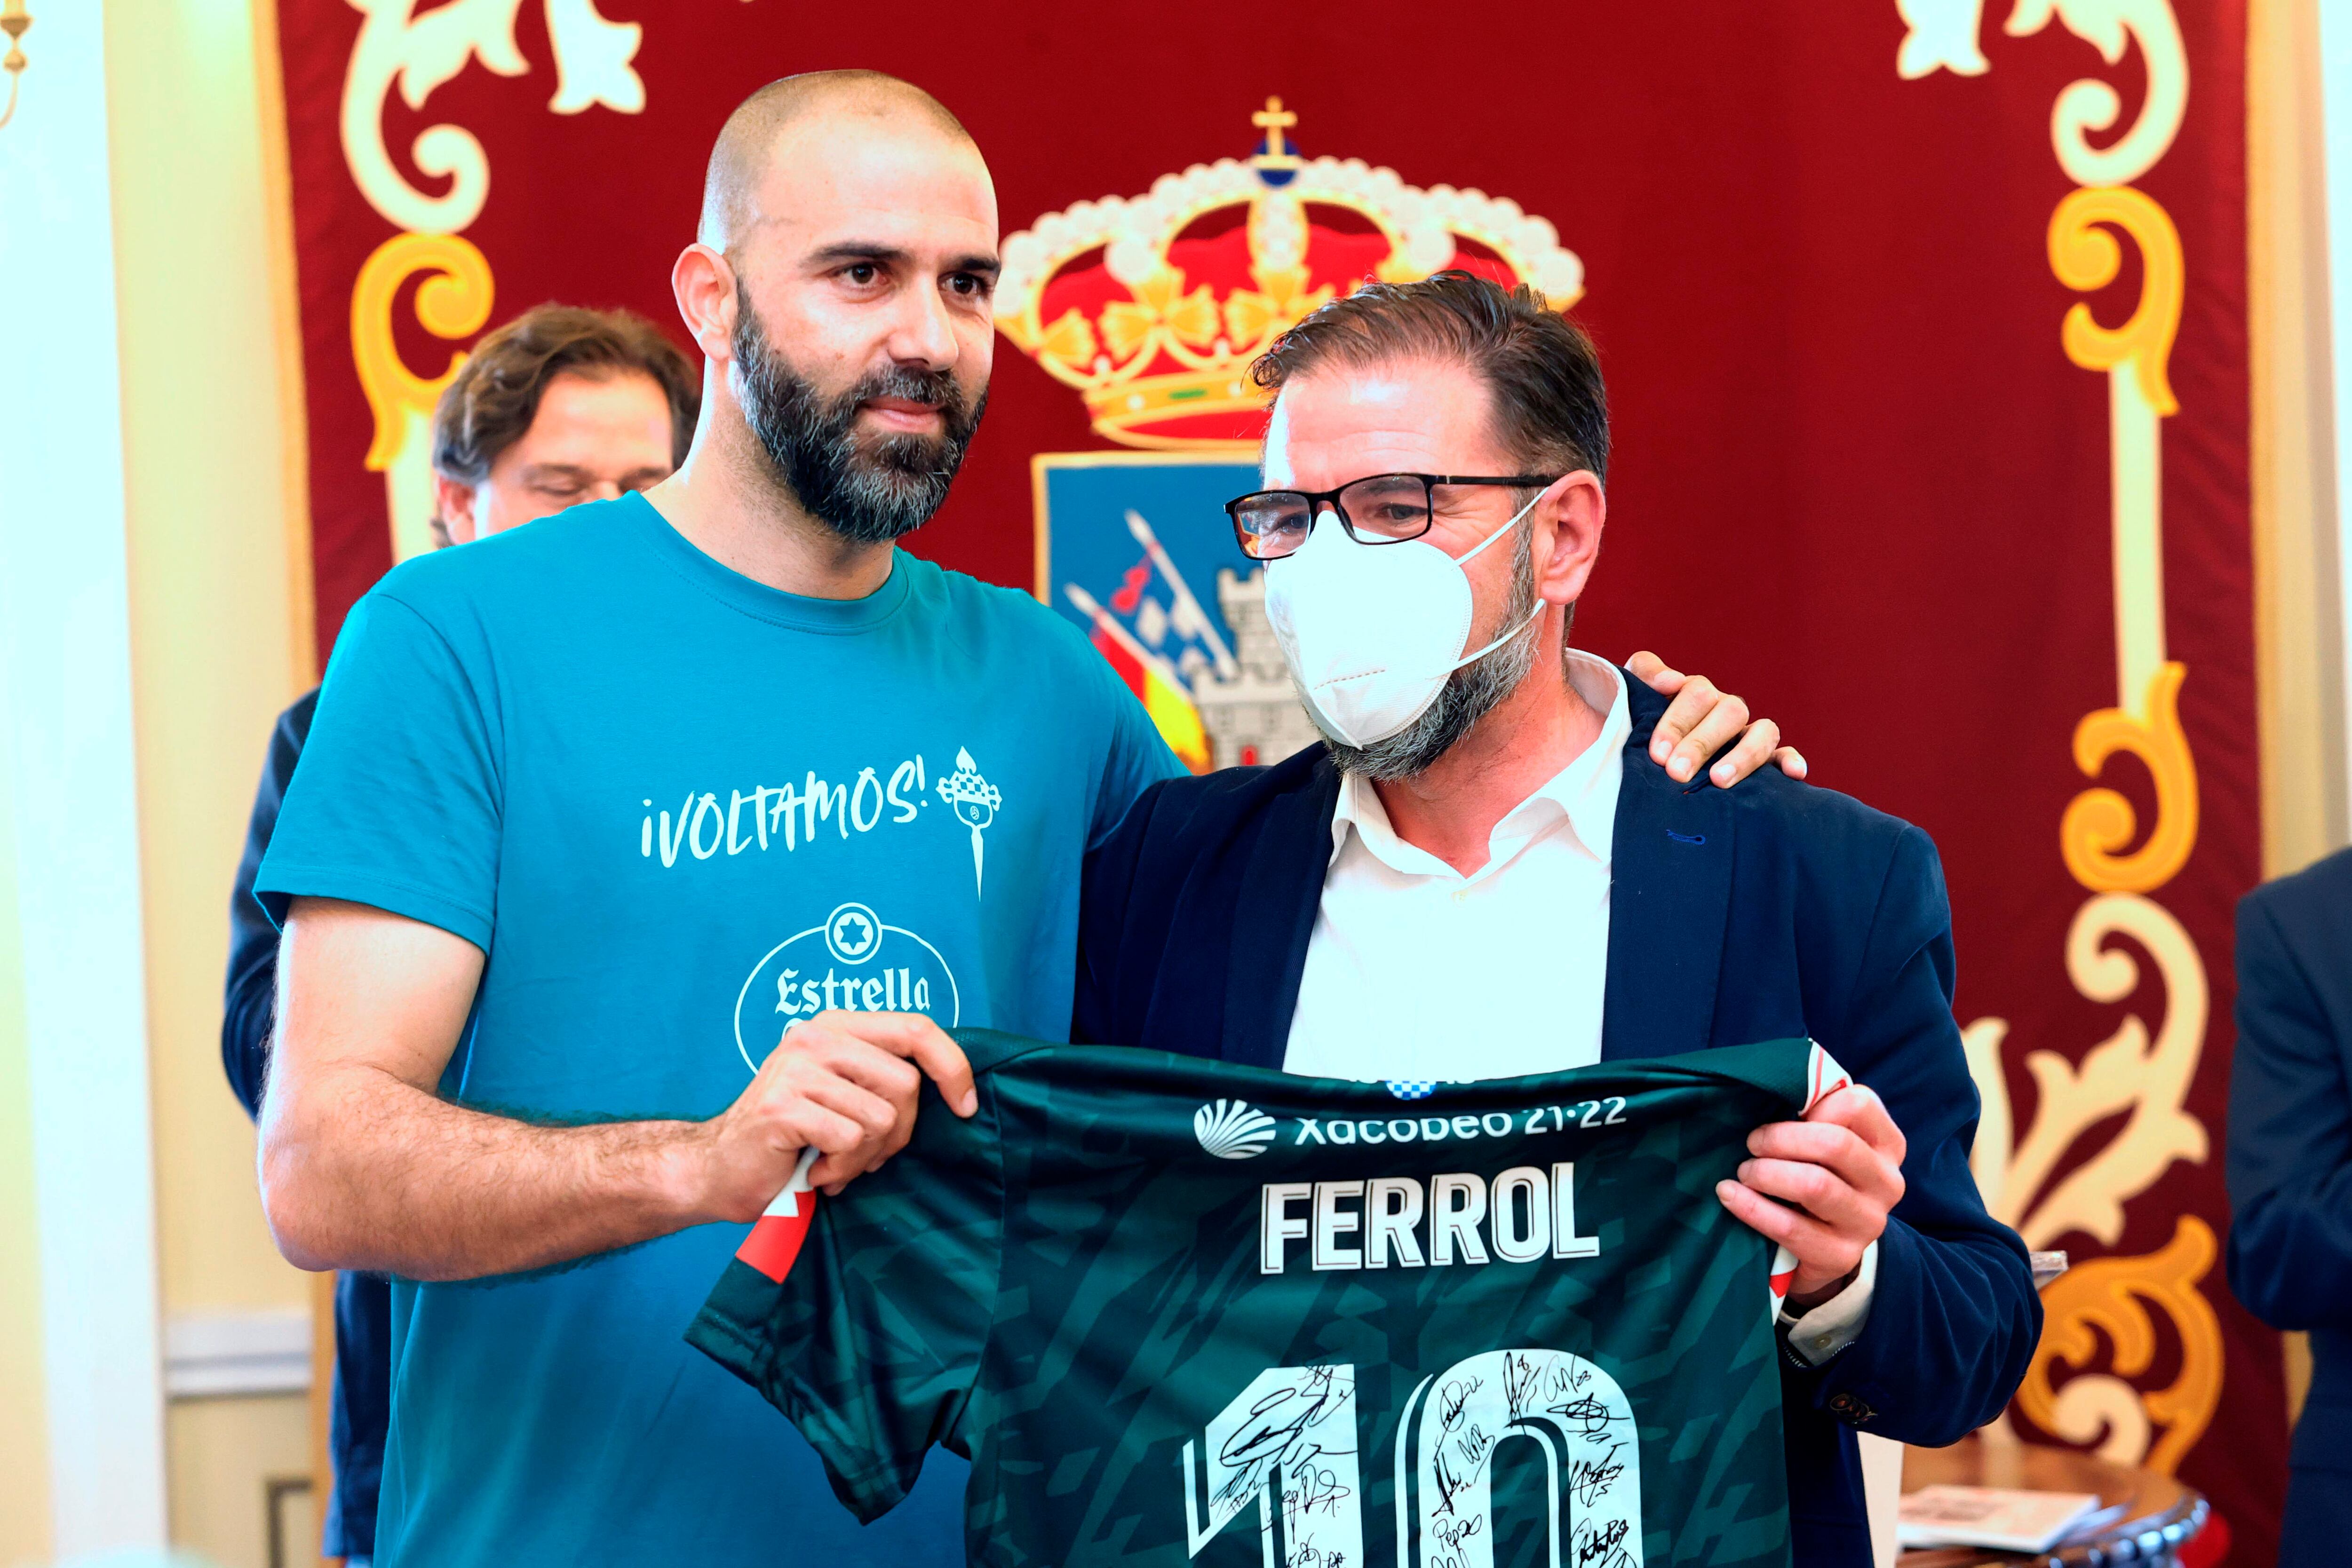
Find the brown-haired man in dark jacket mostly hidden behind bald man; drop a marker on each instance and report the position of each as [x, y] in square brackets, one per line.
[556, 408]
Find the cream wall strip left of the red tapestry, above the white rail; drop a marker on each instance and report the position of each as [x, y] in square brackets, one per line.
[213, 631]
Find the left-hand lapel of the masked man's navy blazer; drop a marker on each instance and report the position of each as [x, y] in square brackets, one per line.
[1276, 918]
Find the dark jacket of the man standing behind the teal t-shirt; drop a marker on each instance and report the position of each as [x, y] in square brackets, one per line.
[363, 1304]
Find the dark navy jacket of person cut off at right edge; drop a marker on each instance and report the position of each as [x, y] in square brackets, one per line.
[2292, 1172]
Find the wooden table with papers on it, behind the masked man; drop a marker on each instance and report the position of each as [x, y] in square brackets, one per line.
[2158, 1515]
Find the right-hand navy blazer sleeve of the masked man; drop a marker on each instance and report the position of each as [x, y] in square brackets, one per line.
[1953, 1318]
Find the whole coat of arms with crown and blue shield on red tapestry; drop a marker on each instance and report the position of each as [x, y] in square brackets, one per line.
[1154, 309]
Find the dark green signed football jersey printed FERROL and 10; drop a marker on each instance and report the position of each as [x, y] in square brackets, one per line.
[1187, 1313]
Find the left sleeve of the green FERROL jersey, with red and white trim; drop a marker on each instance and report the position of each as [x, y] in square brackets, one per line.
[864, 1315]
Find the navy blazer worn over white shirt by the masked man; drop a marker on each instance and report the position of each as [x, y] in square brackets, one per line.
[1735, 916]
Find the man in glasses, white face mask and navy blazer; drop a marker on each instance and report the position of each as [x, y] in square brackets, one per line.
[1485, 873]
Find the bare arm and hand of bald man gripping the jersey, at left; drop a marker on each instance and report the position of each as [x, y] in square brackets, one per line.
[363, 1165]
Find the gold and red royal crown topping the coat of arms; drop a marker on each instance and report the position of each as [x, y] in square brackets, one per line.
[1154, 307]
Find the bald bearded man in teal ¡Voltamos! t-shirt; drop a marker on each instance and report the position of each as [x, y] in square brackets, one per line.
[596, 810]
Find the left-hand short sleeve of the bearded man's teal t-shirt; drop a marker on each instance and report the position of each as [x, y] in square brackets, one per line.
[399, 798]
